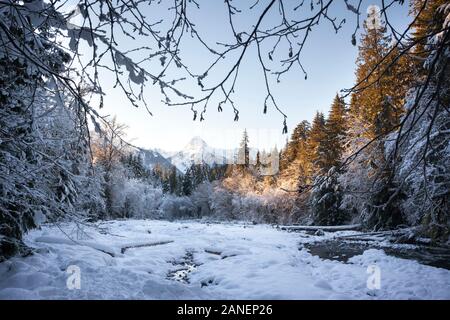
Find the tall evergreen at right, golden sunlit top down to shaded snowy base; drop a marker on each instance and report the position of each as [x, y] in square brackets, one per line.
[376, 106]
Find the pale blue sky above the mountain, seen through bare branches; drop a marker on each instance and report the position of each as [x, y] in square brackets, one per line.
[329, 59]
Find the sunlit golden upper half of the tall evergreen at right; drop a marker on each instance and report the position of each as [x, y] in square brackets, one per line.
[381, 84]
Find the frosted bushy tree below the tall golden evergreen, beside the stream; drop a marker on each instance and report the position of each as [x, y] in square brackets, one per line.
[364, 185]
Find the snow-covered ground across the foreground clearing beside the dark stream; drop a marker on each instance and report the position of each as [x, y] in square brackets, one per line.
[143, 259]
